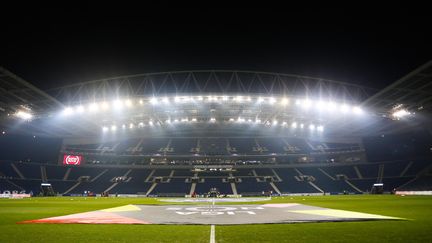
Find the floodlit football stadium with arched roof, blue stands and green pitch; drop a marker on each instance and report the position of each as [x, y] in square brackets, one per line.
[216, 156]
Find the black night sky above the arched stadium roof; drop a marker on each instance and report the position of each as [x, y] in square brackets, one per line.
[53, 47]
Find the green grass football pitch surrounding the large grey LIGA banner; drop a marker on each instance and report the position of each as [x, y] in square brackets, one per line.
[415, 210]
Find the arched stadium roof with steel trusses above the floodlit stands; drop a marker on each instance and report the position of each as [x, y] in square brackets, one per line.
[412, 93]
